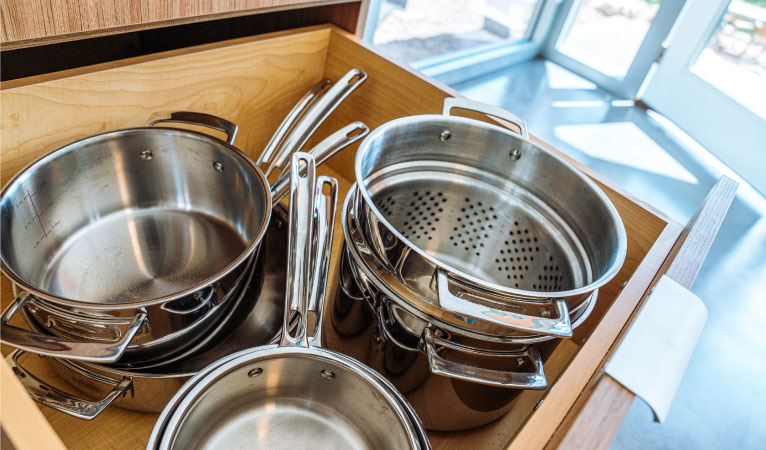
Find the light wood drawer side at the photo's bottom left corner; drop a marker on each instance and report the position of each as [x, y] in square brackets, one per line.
[24, 425]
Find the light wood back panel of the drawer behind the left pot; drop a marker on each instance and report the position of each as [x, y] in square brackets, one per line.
[252, 83]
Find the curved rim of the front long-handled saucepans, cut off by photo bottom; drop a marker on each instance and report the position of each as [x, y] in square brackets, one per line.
[184, 399]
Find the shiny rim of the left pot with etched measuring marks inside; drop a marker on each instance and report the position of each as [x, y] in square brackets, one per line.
[246, 253]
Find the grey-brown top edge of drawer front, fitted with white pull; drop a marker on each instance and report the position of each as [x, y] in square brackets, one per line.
[595, 419]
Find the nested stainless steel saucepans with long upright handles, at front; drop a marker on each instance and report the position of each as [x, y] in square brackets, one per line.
[298, 393]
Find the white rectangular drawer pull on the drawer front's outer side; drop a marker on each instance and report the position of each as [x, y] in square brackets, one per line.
[653, 355]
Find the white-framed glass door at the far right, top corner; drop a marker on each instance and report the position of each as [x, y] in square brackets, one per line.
[711, 82]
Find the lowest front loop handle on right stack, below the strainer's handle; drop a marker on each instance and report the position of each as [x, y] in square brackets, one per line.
[509, 379]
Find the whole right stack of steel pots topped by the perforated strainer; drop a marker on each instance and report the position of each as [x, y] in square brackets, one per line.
[467, 247]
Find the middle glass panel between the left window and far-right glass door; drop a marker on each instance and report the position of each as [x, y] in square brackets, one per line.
[612, 43]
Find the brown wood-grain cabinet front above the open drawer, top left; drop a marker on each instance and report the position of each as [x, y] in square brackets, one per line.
[37, 22]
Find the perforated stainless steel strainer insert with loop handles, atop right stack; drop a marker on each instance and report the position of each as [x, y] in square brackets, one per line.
[484, 223]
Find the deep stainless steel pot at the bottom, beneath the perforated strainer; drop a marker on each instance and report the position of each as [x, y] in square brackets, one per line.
[454, 376]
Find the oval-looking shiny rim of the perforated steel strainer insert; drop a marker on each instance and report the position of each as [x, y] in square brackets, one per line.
[622, 239]
